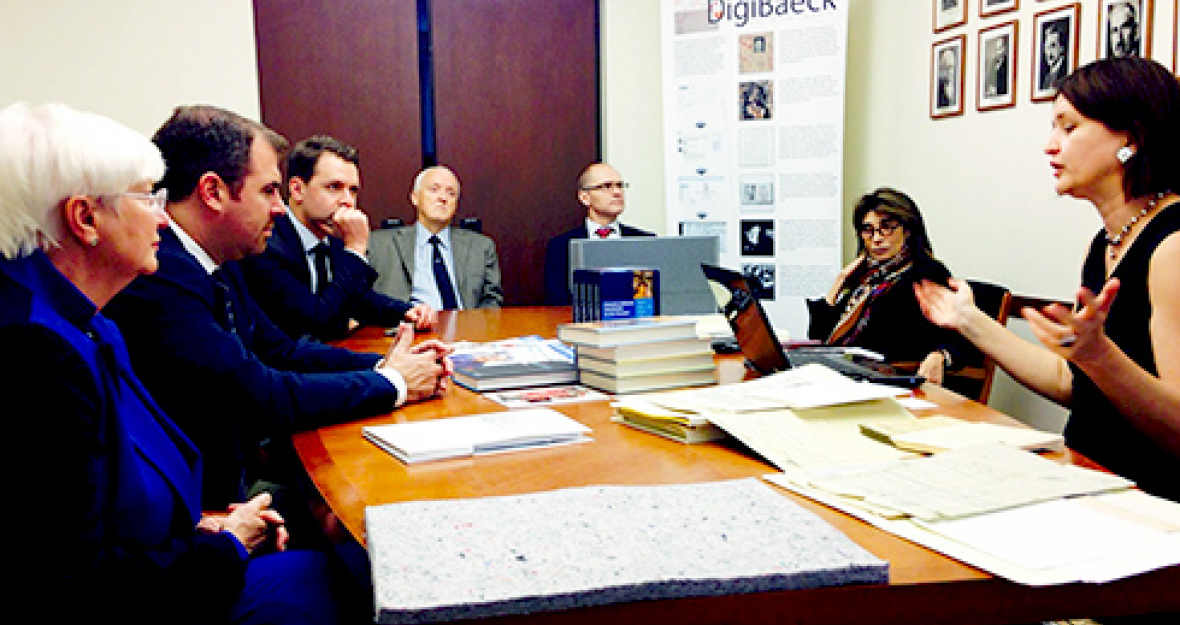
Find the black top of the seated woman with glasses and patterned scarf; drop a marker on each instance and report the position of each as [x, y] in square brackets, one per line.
[897, 330]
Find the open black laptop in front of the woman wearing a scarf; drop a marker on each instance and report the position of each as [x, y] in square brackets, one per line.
[764, 352]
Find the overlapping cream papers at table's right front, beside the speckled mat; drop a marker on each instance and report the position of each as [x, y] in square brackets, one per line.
[1009, 512]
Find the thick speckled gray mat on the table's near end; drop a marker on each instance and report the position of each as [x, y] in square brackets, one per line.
[442, 561]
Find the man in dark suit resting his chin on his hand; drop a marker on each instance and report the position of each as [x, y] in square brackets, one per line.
[314, 279]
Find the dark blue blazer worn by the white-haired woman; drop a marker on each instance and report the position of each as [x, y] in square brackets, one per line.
[116, 486]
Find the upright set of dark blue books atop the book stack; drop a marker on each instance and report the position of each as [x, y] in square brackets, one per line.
[615, 293]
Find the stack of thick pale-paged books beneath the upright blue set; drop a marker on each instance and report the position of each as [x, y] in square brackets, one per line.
[641, 354]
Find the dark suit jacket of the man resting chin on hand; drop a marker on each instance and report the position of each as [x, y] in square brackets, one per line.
[281, 282]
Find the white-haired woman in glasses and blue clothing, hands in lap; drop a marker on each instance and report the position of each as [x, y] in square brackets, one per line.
[115, 489]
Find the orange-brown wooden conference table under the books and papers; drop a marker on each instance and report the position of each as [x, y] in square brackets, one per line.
[925, 587]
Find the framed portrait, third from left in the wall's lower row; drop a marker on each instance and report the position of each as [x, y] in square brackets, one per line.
[1054, 50]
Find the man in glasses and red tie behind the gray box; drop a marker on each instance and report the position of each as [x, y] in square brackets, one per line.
[601, 192]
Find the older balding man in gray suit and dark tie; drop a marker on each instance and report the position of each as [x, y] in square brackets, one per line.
[430, 262]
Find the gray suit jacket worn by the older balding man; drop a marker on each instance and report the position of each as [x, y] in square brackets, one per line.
[476, 262]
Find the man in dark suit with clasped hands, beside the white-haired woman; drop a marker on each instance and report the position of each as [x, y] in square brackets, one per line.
[202, 346]
